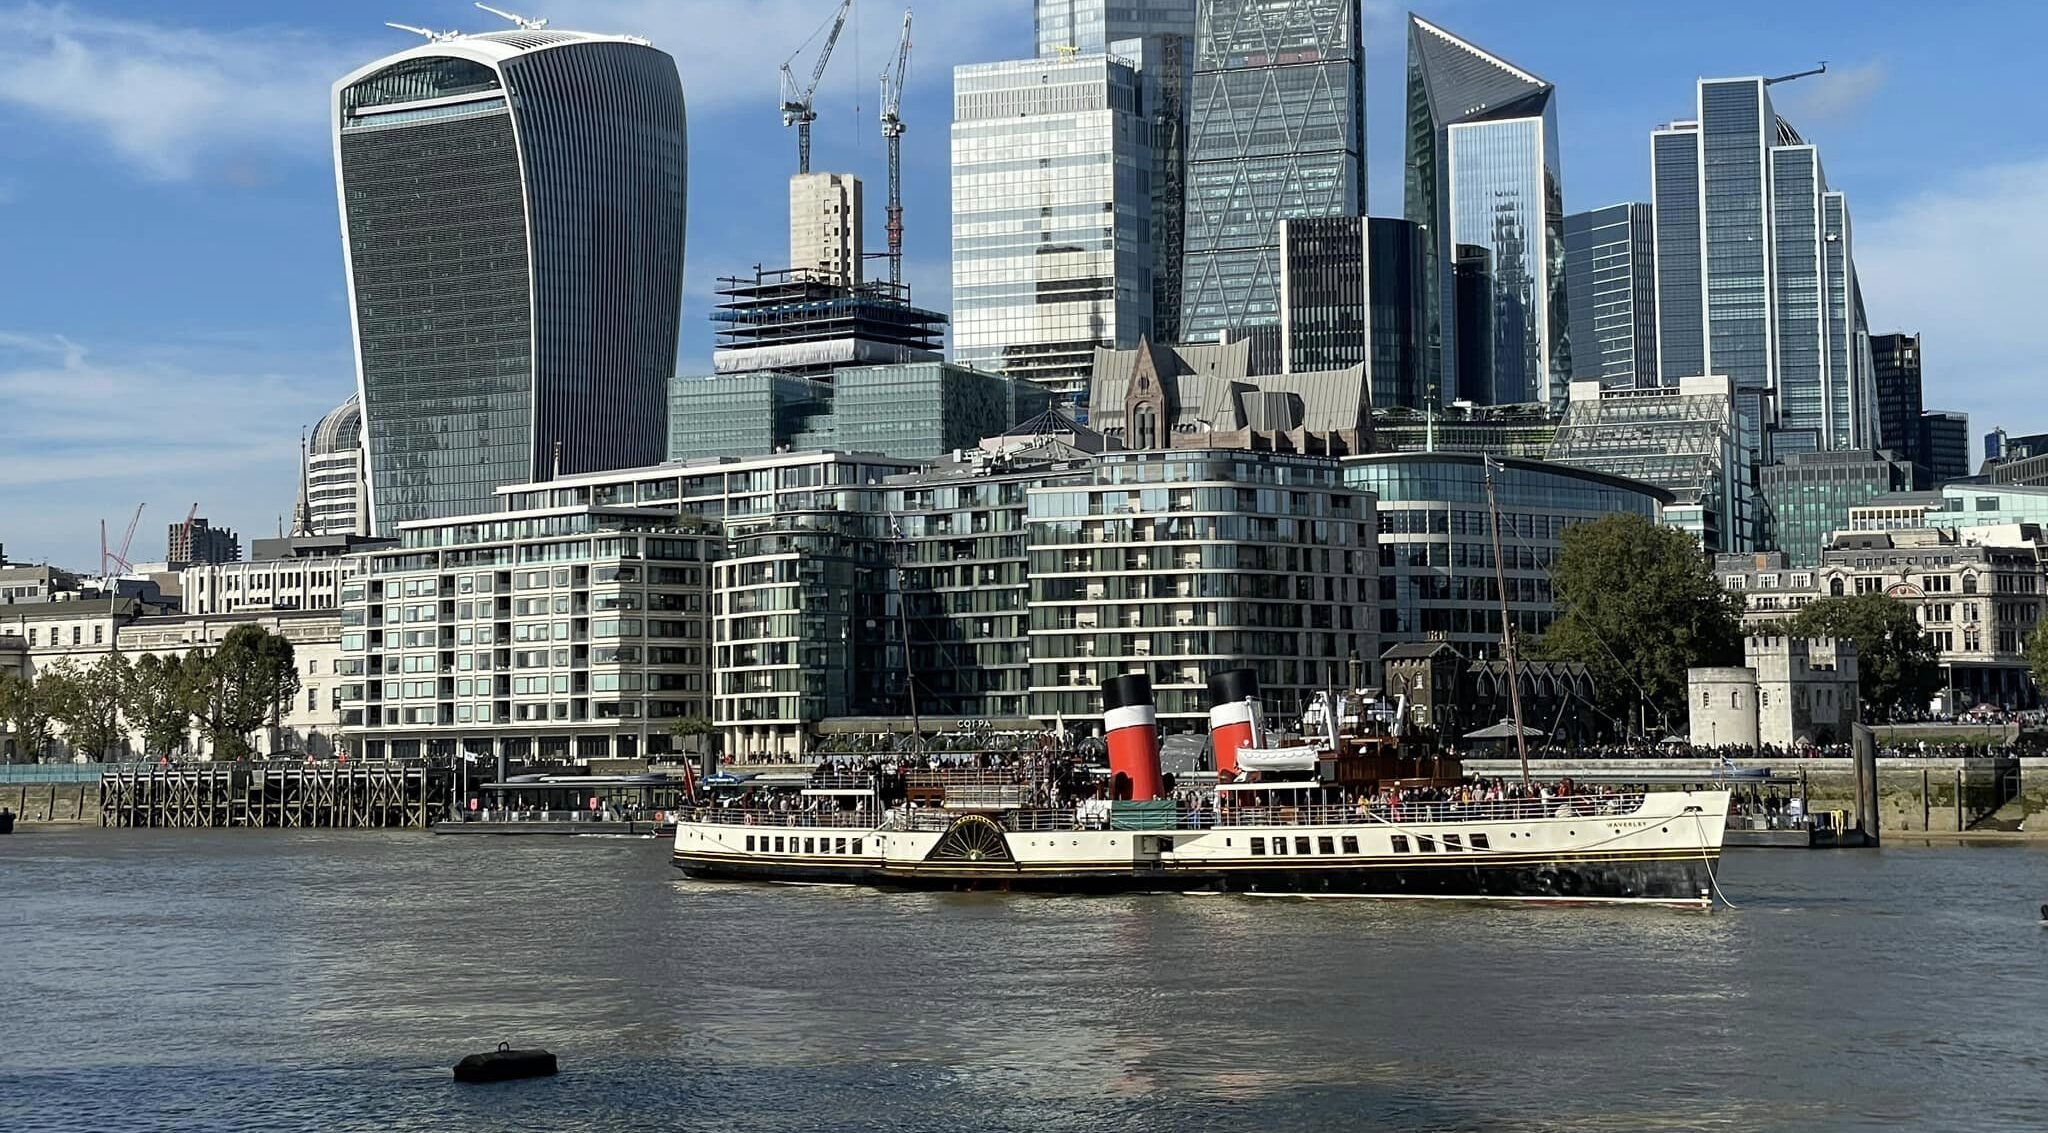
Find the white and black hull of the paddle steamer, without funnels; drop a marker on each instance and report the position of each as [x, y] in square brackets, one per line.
[1662, 851]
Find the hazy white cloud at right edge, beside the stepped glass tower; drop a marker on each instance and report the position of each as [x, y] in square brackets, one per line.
[1959, 263]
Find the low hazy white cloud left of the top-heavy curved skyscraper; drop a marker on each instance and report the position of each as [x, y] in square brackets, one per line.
[93, 433]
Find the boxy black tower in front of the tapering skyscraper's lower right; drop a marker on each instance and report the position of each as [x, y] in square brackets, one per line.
[1353, 294]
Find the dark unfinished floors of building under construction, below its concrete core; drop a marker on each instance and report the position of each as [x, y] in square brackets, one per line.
[808, 323]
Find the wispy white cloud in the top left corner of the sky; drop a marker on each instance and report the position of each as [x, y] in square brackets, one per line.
[169, 97]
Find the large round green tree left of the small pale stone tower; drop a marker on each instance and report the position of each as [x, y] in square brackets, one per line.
[1639, 605]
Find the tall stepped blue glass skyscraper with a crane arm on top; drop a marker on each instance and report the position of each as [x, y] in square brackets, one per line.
[1756, 271]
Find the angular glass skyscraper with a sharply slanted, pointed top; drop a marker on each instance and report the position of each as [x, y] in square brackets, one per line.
[1484, 173]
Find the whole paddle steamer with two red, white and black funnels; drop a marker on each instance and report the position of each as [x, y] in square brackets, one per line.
[1332, 812]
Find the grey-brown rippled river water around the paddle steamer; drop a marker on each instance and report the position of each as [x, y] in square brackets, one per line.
[327, 980]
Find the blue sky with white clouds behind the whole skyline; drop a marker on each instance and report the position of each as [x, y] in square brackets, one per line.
[171, 282]
